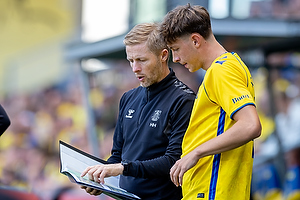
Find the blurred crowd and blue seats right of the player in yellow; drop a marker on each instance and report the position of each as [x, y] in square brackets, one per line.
[276, 173]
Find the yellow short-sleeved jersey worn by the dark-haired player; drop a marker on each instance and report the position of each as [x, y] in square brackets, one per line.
[227, 87]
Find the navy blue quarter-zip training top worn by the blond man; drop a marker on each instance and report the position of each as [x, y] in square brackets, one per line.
[149, 132]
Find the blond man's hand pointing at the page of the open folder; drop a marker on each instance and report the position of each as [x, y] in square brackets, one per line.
[97, 173]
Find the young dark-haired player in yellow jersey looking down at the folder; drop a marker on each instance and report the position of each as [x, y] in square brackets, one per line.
[217, 147]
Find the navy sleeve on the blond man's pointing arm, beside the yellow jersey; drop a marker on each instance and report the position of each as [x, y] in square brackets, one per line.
[178, 123]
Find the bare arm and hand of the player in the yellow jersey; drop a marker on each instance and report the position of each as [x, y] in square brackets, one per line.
[246, 128]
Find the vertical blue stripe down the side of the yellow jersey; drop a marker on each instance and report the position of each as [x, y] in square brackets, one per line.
[217, 157]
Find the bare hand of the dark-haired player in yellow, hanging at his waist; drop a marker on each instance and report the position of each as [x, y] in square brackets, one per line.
[181, 166]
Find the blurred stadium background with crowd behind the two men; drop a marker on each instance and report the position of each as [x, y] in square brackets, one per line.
[63, 71]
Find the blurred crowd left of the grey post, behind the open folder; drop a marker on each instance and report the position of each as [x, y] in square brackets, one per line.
[30, 145]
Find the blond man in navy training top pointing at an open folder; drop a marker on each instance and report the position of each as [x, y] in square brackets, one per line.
[152, 121]
